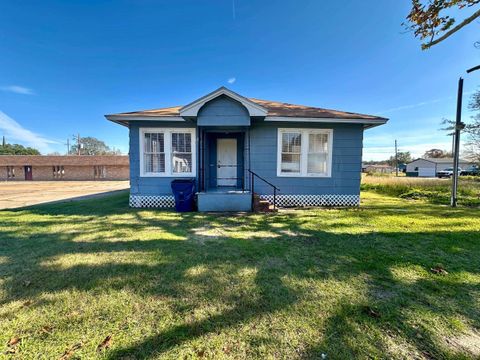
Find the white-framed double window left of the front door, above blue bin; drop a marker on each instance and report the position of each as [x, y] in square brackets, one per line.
[167, 152]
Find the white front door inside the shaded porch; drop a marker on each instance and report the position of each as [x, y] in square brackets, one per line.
[226, 162]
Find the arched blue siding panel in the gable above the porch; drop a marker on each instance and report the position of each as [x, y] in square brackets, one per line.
[223, 111]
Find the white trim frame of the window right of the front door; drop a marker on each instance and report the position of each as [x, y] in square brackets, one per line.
[304, 152]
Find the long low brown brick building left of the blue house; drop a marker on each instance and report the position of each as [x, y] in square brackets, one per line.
[72, 167]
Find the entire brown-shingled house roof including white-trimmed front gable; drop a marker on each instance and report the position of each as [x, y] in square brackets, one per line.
[271, 110]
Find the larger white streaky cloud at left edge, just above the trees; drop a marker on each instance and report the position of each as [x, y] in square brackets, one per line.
[14, 132]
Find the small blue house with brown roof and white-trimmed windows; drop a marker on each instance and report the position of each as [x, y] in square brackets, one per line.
[235, 147]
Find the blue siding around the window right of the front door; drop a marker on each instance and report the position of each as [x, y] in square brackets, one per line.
[346, 160]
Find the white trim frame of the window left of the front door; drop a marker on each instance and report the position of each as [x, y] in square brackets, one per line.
[168, 152]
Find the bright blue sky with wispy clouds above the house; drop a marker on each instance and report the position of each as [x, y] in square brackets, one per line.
[64, 64]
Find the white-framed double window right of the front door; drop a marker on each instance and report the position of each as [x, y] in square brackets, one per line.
[304, 152]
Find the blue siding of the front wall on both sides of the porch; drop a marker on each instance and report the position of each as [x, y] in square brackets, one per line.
[346, 160]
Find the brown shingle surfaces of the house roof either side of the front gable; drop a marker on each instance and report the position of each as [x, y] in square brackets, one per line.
[274, 108]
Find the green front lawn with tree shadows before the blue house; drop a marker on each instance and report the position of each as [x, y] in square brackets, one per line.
[297, 284]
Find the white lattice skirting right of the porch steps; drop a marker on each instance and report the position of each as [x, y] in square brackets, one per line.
[314, 200]
